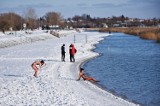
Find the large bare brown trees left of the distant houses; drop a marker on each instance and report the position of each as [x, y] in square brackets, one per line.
[10, 19]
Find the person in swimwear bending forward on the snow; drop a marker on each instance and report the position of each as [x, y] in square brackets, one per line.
[34, 66]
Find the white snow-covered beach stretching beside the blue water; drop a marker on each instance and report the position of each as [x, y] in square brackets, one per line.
[56, 84]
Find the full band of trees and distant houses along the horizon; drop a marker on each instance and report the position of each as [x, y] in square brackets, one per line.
[15, 21]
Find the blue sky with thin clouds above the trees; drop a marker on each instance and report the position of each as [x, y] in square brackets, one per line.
[143, 9]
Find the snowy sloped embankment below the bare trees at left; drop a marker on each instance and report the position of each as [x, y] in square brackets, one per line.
[20, 37]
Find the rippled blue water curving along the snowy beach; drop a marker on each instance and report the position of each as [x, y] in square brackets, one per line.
[129, 67]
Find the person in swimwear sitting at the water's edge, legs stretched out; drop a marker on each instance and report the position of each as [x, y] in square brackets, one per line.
[82, 75]
